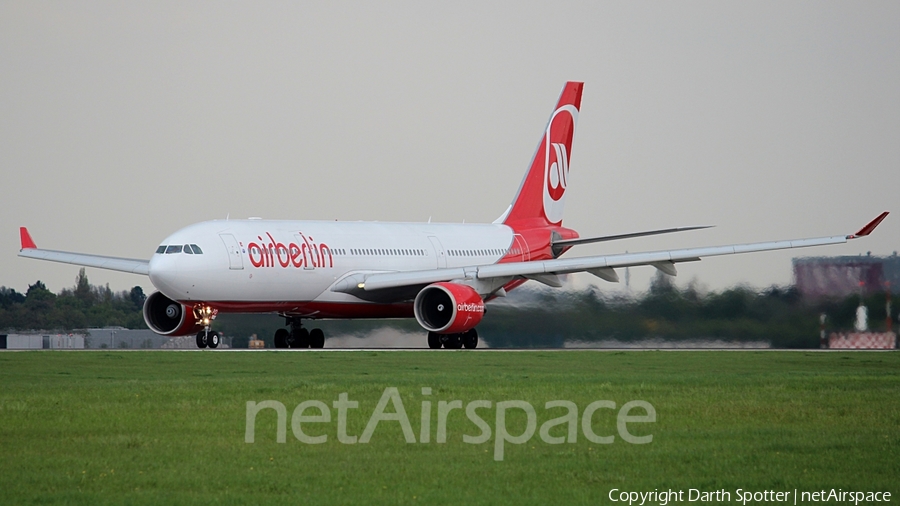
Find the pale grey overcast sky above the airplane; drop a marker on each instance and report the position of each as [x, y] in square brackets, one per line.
[121, 122]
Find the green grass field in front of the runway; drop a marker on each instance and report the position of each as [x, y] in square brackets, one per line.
[151, 427]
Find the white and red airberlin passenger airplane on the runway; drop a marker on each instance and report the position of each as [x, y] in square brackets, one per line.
[440, 273]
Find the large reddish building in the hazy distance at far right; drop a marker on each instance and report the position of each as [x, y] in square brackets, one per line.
[818, 277]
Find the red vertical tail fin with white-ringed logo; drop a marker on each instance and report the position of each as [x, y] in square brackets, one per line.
[542, 194]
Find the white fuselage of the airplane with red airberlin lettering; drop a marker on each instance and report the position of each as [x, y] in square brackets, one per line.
[267, 265]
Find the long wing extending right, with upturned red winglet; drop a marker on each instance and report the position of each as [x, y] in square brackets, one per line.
[600, 266]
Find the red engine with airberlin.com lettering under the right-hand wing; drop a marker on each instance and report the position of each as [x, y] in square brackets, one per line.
[448, 308]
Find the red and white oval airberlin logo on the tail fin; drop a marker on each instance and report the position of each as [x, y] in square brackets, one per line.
[557, 144]
